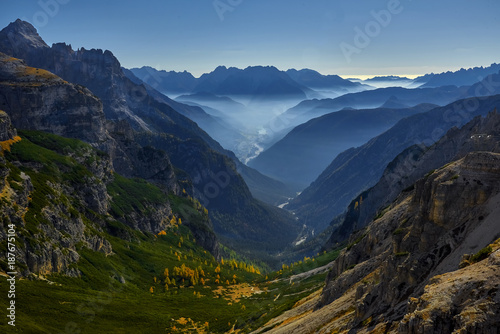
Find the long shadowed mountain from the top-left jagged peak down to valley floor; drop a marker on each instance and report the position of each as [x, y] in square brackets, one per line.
[211, 175]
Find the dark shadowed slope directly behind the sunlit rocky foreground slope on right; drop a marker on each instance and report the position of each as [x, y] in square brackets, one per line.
[482, 133]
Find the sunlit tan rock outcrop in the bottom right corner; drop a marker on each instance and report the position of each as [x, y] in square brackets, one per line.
[463, 301]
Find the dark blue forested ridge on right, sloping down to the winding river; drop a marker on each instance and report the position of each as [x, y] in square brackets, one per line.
[358, 169]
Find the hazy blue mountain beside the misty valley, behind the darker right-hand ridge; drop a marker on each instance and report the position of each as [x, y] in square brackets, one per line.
[309, 148]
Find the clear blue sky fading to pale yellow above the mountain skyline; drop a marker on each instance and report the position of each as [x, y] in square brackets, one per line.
[361, 38]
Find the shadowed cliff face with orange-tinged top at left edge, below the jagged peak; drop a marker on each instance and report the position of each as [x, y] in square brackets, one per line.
[37, 99]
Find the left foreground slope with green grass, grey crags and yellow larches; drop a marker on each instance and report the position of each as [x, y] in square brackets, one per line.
[90, 247]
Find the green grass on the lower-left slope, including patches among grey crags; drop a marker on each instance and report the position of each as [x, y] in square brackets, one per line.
[97, 302]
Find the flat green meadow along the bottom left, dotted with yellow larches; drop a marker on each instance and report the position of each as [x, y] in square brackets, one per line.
[98, 303]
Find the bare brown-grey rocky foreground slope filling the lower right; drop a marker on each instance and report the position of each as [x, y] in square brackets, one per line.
[401, 274]
